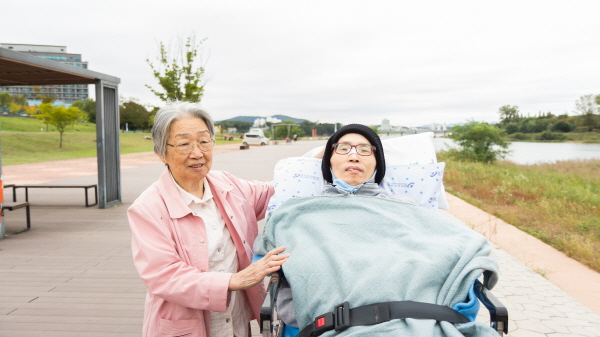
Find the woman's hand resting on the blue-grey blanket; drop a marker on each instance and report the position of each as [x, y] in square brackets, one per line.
[256, 272]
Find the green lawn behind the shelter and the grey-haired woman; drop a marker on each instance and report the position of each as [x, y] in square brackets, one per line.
[24, 143]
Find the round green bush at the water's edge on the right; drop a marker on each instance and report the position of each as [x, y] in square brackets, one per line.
[478, 142]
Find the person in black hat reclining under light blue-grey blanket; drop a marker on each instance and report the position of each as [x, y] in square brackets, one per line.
[366, 263]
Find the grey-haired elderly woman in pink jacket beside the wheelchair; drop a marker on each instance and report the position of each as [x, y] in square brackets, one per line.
[192, 235]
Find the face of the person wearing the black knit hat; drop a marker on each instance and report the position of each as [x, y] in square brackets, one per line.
[352, 168]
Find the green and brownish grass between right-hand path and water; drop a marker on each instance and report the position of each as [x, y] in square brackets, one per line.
[558, 203]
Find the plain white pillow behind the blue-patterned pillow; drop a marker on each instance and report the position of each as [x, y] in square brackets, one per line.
[407, 150]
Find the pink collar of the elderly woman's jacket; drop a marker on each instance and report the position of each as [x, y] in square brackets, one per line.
[176, 205]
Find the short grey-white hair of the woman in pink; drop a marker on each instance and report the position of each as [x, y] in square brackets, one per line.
[171, 112]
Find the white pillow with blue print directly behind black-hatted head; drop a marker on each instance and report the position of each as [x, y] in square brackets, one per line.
[302, 177]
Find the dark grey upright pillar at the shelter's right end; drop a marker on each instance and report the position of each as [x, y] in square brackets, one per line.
[107, 143]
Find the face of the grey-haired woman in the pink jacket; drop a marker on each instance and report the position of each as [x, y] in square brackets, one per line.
[193, 167]
